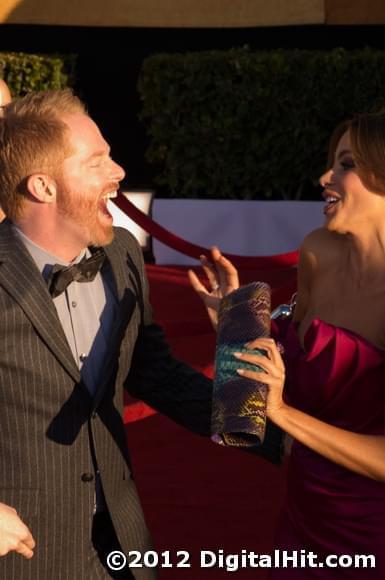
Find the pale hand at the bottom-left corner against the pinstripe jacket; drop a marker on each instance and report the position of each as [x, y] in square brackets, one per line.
[14, 534]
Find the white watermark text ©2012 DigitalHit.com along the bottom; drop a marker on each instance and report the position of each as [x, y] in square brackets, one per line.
[231, 562]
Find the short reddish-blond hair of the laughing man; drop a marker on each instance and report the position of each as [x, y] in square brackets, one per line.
[33, 139]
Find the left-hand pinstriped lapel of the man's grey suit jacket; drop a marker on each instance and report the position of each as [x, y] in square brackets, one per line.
[20, 277]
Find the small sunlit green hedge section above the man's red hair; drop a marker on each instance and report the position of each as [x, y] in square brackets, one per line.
[31, 72]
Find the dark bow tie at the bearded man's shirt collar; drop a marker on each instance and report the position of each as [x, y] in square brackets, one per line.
[84, 271]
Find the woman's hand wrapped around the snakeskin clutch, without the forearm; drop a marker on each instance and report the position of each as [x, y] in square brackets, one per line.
[272, 375]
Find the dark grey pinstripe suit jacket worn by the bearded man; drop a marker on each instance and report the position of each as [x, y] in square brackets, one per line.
[51, 432]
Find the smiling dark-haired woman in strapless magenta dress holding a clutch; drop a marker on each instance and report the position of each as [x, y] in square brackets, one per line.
[327, 391]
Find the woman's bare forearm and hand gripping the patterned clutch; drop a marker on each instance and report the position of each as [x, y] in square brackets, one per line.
[364, 454]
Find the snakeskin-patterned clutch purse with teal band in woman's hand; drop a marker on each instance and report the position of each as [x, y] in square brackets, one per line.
[239, 403]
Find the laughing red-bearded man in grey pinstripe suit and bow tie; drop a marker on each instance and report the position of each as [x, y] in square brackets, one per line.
[72, 337]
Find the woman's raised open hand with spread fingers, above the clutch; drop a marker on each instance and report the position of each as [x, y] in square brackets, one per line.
[223, 279]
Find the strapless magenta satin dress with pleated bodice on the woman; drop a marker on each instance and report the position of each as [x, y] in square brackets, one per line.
[339, 377]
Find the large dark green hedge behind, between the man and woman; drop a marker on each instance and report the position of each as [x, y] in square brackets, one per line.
[244, 124]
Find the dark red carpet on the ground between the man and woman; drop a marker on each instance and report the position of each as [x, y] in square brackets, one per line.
[198, 495]
